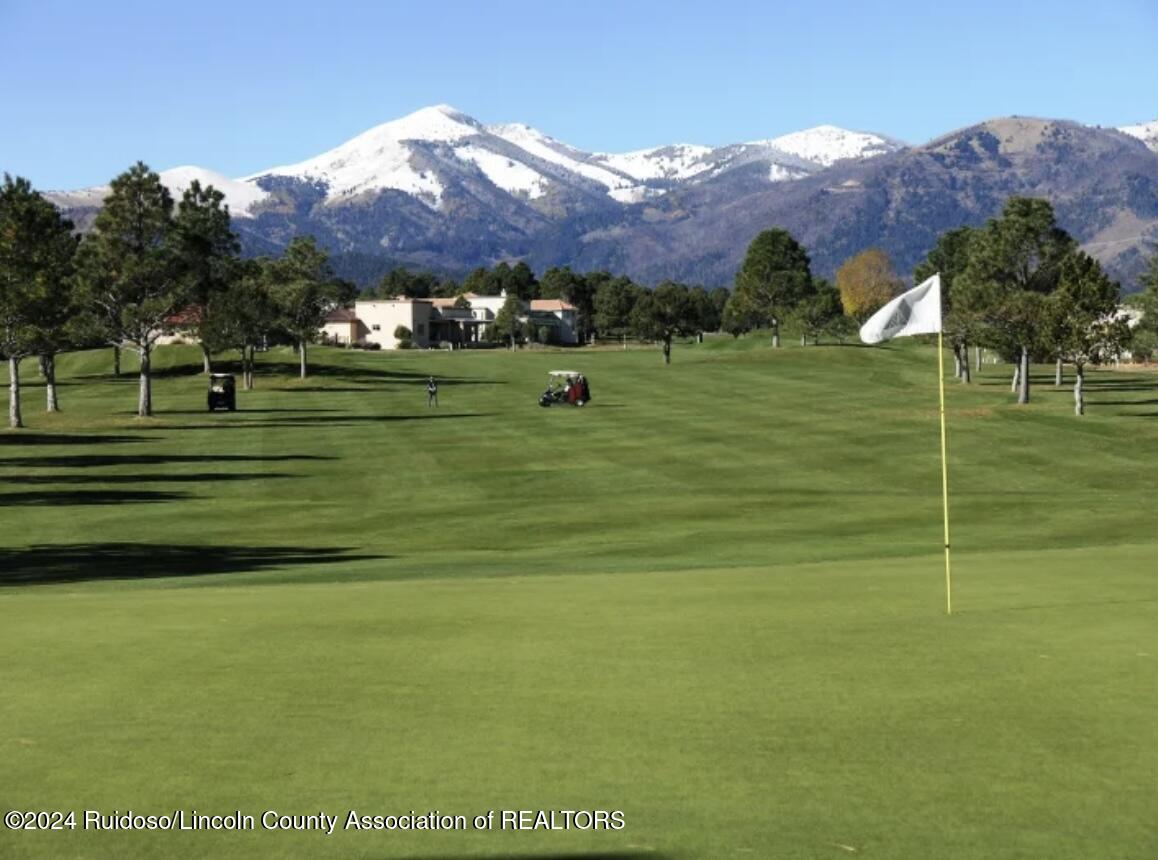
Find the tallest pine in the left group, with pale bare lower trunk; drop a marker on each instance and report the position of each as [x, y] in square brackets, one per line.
[130, 277]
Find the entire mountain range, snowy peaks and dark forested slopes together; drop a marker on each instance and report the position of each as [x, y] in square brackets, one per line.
[439, 189]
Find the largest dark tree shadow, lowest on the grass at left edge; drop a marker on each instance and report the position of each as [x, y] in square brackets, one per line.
[83, 563]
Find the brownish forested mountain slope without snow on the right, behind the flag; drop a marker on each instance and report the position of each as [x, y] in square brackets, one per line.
[1103, 183]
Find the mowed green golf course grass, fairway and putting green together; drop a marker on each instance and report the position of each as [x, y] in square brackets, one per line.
[713, 600]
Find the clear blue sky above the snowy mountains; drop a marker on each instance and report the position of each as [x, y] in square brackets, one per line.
[240, 86]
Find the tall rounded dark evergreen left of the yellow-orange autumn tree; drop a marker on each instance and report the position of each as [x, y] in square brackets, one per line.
[774, 278]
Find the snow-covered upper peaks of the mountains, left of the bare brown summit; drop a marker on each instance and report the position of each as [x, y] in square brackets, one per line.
[438, 155]
